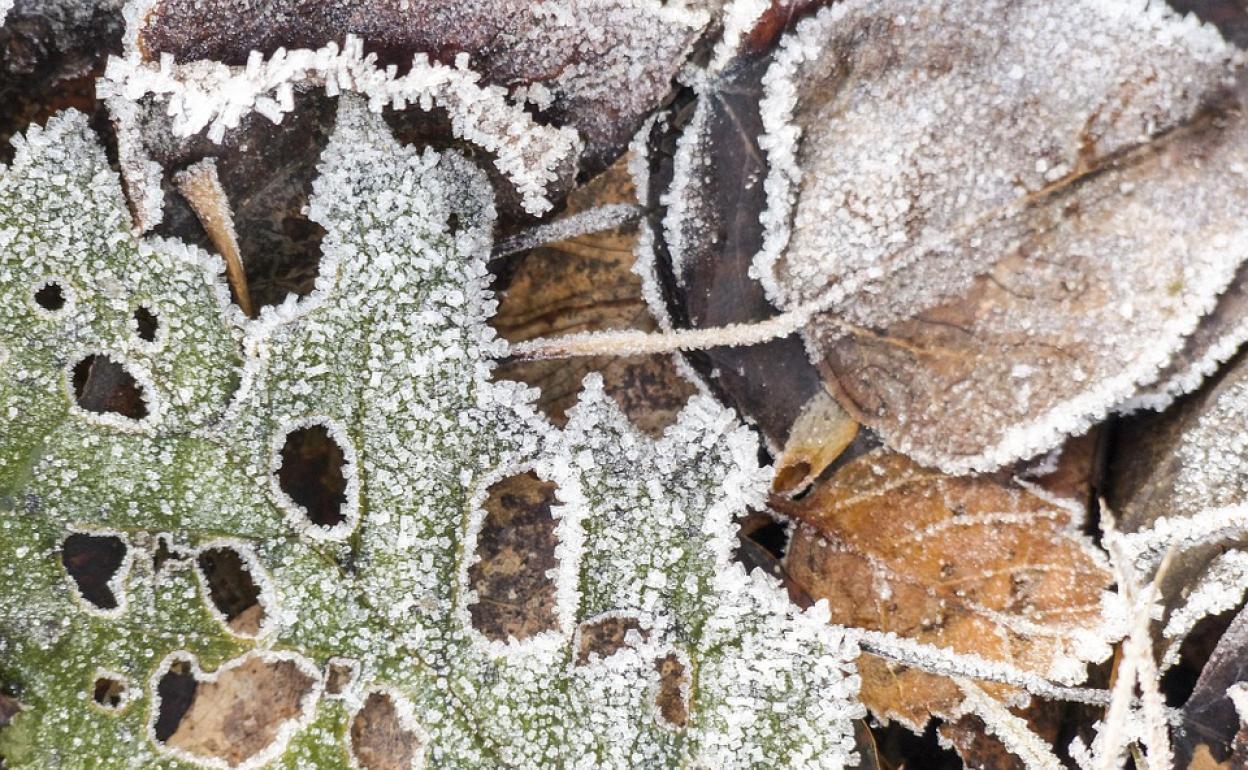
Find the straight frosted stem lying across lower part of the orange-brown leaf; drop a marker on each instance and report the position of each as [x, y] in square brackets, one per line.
[948, 663]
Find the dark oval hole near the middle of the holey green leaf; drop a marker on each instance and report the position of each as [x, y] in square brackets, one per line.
[311, 475]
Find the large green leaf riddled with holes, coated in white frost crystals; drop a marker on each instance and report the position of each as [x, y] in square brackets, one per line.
[390, 359]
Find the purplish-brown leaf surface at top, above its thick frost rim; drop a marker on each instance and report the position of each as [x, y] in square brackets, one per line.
[597, 66]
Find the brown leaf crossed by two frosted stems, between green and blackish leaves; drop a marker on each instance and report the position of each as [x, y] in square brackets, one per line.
[587, 284]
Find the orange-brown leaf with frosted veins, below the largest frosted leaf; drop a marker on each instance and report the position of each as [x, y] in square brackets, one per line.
[978, 565]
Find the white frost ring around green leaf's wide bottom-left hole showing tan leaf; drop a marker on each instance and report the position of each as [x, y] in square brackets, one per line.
[289, 729]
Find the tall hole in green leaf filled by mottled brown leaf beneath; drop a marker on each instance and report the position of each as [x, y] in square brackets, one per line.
[516, 550]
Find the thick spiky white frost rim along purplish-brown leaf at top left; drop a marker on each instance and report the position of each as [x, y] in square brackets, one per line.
[215, 97]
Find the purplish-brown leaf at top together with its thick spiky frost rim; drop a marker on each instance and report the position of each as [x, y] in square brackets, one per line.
[541, 89]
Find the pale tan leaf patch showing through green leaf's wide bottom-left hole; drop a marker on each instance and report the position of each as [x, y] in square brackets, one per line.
[239, 712]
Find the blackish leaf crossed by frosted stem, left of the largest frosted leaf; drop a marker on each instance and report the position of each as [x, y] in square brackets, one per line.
[706, 231]
